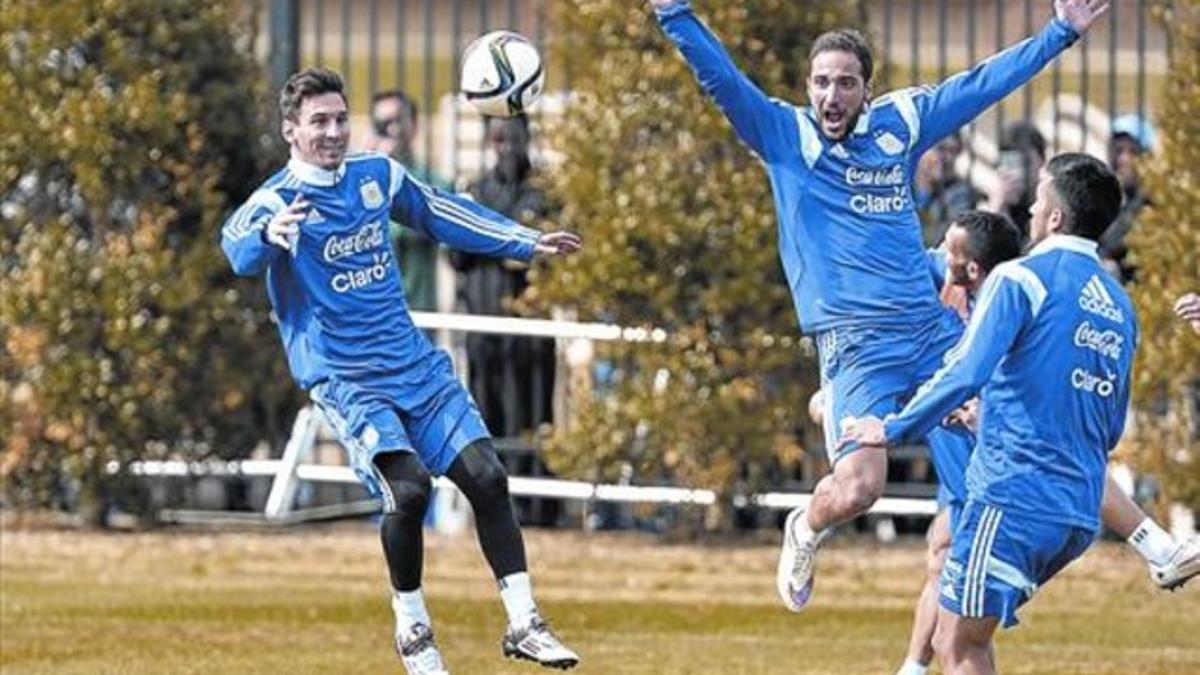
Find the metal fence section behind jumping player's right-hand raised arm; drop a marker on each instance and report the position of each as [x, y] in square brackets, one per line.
[1118, 69]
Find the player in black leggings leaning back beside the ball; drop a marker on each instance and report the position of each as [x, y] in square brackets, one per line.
[319, 229]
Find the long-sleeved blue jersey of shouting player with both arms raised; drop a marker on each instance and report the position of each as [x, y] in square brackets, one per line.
[849, 235]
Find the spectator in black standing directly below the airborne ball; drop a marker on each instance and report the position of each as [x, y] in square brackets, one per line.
[512, 378]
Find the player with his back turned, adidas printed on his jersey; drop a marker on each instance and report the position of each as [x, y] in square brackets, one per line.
[1049, 350]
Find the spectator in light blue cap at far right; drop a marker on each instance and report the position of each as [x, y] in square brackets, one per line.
[1131, 139]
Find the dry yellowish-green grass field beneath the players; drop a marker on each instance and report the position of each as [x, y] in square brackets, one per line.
[313, 600]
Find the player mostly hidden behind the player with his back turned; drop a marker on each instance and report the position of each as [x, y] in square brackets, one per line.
[976, 243]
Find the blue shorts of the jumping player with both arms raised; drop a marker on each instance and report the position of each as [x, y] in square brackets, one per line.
[874, 372]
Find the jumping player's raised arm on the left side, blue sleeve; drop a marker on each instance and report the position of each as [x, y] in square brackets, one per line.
[767, 127]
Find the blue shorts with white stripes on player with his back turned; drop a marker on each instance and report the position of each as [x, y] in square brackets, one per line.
[999, 560]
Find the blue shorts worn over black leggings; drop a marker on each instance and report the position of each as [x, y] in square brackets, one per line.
[436, 420]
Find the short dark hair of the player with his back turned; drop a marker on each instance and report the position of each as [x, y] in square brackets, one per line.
[1089, 194]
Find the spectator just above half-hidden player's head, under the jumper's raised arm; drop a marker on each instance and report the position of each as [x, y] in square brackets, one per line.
[939, 192]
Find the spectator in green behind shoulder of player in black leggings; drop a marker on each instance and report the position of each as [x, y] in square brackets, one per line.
[394, 124]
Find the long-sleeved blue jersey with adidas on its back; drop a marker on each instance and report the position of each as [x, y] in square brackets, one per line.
[1051, 350]
